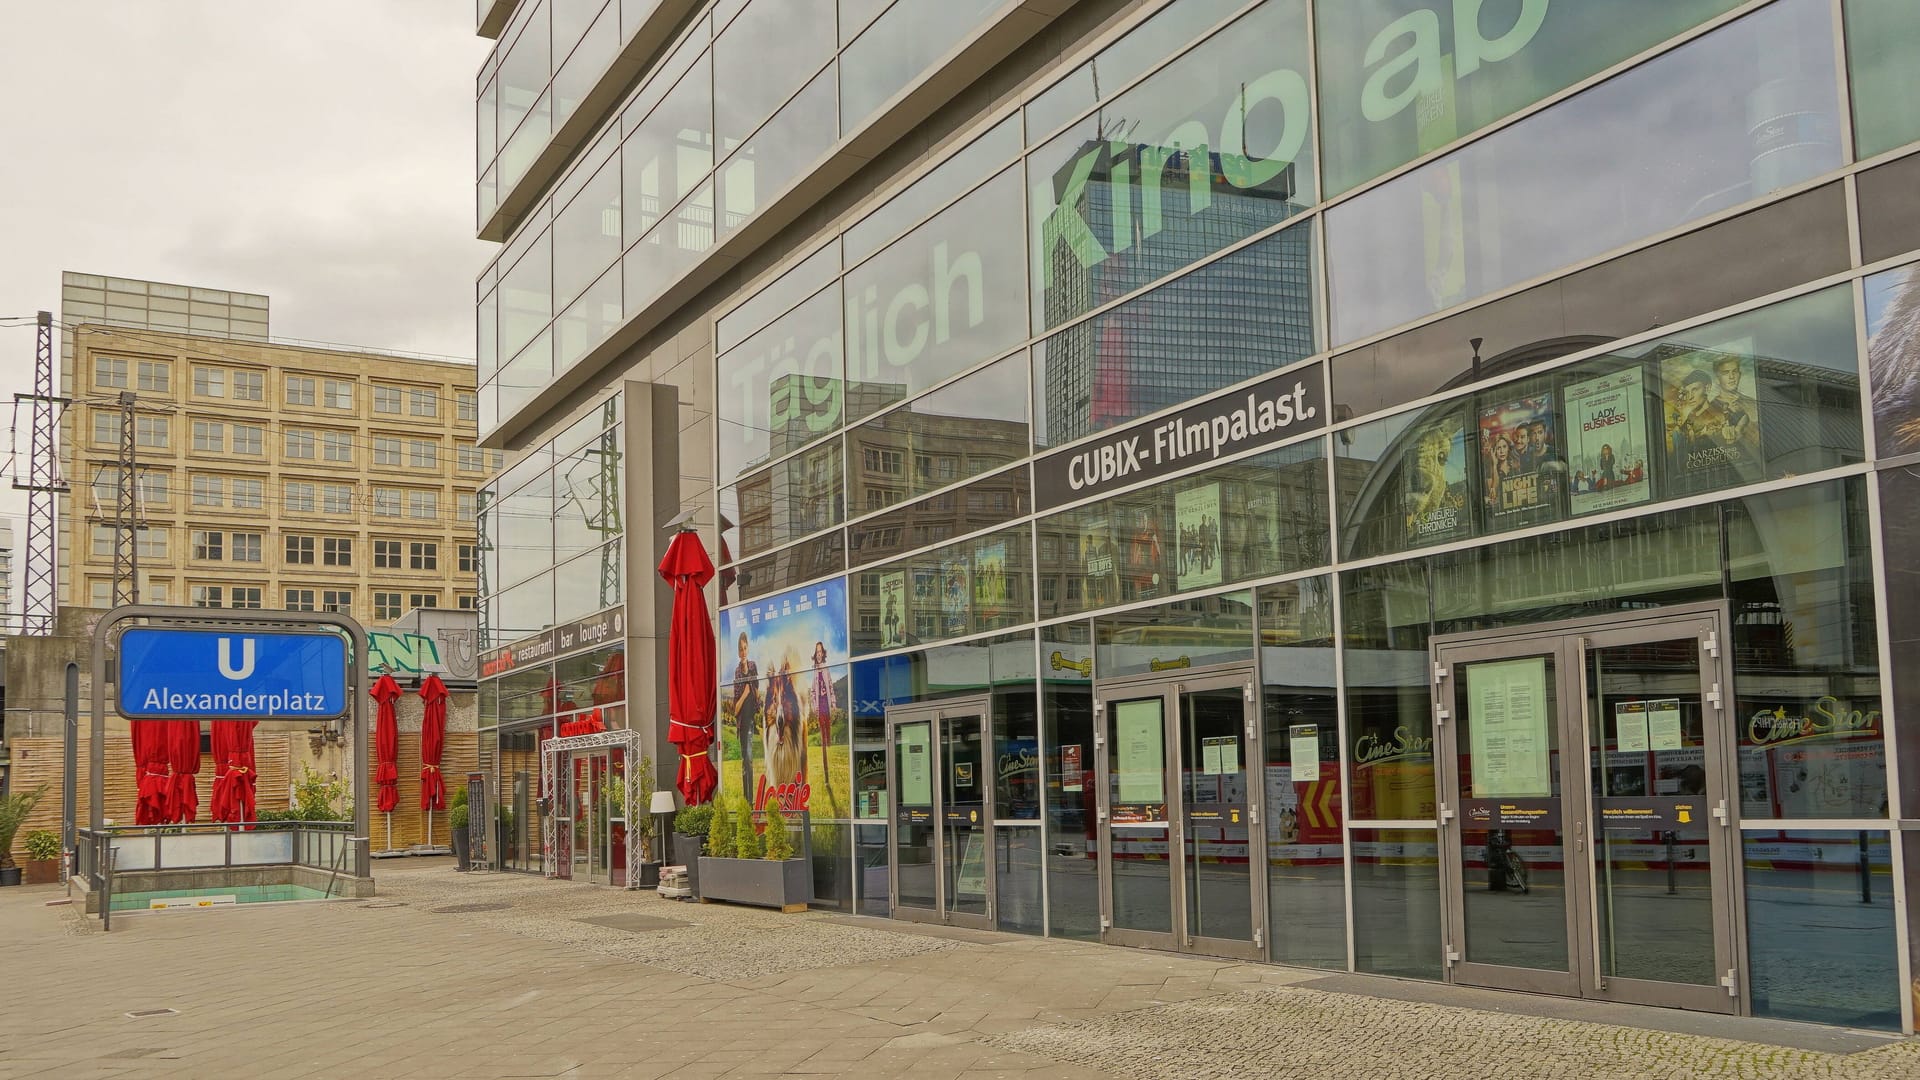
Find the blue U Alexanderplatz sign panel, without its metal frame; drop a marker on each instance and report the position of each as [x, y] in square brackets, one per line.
[231, 675]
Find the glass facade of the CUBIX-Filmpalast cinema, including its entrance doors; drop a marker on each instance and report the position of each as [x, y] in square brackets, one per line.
[1191, 420]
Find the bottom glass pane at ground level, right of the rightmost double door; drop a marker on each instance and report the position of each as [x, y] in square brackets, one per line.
[1821, 927]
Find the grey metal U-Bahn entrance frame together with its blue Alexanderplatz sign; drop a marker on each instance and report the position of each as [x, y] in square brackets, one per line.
[270, 666]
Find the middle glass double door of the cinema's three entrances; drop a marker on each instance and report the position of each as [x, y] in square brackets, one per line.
[1182, 852]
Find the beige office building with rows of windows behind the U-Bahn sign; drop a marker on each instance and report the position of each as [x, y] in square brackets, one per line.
[272, 476]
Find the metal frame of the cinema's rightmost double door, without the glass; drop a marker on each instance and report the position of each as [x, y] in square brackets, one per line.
[1570, 643]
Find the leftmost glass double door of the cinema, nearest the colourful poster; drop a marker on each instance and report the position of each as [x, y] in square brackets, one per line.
[942, 827]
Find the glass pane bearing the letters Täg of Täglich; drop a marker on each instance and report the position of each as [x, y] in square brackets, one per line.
[782, 389]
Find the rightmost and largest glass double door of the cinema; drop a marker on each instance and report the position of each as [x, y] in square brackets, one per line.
[1587, 827]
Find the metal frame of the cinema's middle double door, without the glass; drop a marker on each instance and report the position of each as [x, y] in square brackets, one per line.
[1170, 687]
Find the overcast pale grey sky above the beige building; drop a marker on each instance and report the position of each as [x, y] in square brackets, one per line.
[320, 153]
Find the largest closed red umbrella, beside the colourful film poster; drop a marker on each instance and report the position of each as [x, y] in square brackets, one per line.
[692, 670]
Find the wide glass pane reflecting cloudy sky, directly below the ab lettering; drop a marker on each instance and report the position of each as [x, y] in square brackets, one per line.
[1493, 214]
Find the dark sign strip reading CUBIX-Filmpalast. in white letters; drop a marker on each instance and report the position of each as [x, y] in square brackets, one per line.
[1270, 412]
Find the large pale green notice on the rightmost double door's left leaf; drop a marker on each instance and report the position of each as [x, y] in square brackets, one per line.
[1510, 729]
